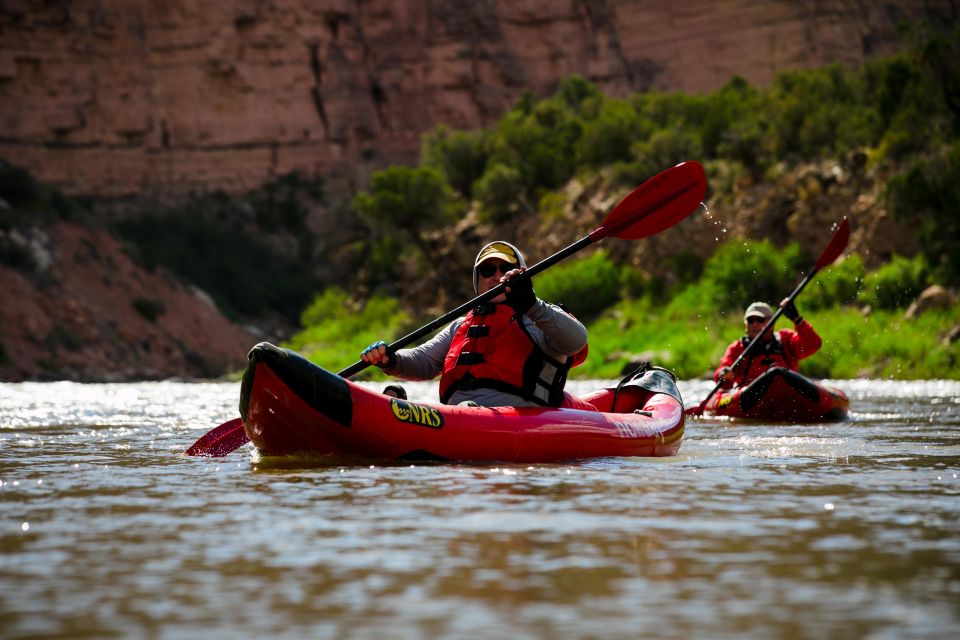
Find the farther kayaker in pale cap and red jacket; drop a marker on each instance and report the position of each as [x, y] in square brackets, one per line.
[783, 348]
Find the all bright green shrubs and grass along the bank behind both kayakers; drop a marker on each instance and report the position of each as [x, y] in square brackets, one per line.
[688, 329]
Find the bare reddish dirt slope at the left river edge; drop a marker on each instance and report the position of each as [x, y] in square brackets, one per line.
[89, 313]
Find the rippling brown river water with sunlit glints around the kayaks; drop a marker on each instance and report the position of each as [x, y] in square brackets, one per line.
[846, 530]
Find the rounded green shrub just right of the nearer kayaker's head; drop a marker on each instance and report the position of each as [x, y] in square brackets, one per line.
[586, 286]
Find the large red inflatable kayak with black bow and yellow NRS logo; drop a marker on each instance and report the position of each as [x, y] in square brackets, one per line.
[291, 406]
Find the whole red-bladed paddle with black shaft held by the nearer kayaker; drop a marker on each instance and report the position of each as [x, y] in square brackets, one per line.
[657, 204]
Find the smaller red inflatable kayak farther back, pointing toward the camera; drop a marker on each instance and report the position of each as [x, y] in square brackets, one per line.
[781, 395]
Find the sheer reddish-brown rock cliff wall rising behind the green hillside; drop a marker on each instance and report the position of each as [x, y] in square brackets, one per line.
[111, 97]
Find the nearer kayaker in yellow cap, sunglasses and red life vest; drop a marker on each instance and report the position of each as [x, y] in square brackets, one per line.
[515, 351]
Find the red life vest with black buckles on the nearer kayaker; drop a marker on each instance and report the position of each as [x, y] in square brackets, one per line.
[491, 349]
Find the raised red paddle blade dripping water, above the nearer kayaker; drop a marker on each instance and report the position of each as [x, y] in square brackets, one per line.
[657, 204]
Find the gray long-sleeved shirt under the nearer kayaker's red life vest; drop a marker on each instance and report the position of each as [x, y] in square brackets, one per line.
[558, 333]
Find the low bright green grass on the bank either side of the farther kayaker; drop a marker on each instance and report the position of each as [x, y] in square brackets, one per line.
[878, 344]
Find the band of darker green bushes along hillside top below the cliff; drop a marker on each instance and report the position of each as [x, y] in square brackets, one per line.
[900, 114]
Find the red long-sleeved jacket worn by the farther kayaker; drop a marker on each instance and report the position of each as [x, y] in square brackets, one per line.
[786, 349]
